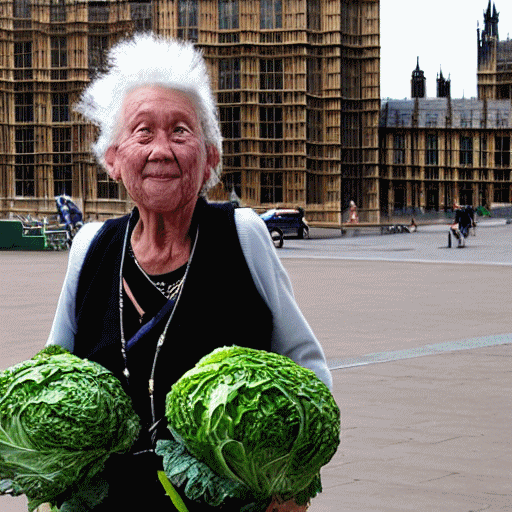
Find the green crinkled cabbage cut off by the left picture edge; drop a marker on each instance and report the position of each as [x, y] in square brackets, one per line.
[61, 417]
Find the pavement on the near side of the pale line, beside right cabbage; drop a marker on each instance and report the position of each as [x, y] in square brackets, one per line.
[424, 434]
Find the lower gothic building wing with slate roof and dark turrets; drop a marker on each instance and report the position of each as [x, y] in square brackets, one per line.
[437, 152]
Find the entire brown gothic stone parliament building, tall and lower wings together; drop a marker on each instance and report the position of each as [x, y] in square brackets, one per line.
[298, 89]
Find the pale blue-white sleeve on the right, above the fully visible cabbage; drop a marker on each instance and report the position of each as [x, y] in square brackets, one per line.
[292, 336]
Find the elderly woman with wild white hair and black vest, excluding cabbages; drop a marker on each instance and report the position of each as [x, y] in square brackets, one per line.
[148, 294]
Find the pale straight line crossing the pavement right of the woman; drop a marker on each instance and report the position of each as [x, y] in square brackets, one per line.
[427, 350]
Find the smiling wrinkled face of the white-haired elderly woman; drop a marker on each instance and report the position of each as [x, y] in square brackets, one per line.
[161, 155]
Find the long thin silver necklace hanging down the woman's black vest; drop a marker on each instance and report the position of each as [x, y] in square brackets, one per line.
[161, 339]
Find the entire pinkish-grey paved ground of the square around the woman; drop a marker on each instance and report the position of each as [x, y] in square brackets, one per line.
[427, 433]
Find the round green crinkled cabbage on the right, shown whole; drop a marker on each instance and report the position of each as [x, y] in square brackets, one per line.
[256, 417]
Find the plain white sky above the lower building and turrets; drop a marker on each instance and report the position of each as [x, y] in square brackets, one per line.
[442, 33]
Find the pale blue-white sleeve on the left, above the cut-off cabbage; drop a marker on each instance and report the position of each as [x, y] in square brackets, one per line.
[64, 322]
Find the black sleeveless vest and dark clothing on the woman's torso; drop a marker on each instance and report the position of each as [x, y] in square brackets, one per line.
[219, 306]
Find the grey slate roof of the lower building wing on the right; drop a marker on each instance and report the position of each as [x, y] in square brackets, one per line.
[446, 113]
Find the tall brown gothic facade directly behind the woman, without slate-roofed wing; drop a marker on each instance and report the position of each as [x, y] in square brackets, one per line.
[297, 84]
